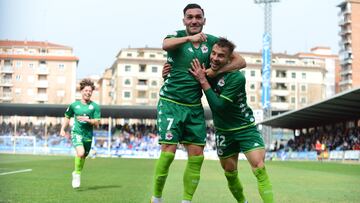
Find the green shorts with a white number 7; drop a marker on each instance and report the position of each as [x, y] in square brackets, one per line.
[180, 123]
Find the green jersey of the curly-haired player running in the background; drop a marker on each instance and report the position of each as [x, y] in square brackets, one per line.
[77, 108]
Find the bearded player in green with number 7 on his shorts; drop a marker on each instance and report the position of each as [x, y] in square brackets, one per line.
[180, 113]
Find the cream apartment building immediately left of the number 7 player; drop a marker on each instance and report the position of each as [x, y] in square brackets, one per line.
[136, 76]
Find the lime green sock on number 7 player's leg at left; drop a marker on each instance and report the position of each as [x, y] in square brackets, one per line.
[161, 172]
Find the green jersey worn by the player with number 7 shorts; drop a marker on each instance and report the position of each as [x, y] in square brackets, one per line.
[180, 85]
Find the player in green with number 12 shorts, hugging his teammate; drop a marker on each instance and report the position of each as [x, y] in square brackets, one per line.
[234, 122]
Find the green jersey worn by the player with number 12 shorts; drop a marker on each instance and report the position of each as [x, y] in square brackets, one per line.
[227, 100]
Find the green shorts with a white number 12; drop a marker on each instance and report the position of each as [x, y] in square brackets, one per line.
[229, 143]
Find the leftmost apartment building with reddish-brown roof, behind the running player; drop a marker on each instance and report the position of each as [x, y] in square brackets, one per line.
[37, 72]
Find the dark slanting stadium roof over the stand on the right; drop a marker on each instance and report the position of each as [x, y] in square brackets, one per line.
[342, 107]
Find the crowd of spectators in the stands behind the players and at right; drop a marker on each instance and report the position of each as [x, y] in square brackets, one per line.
[144, 137]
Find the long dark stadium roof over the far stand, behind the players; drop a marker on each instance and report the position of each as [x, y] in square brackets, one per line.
[56, 110]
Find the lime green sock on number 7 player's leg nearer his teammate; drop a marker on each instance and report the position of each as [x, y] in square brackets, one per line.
[192, 176]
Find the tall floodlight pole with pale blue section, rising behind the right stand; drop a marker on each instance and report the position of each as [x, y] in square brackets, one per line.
[266, 67]
